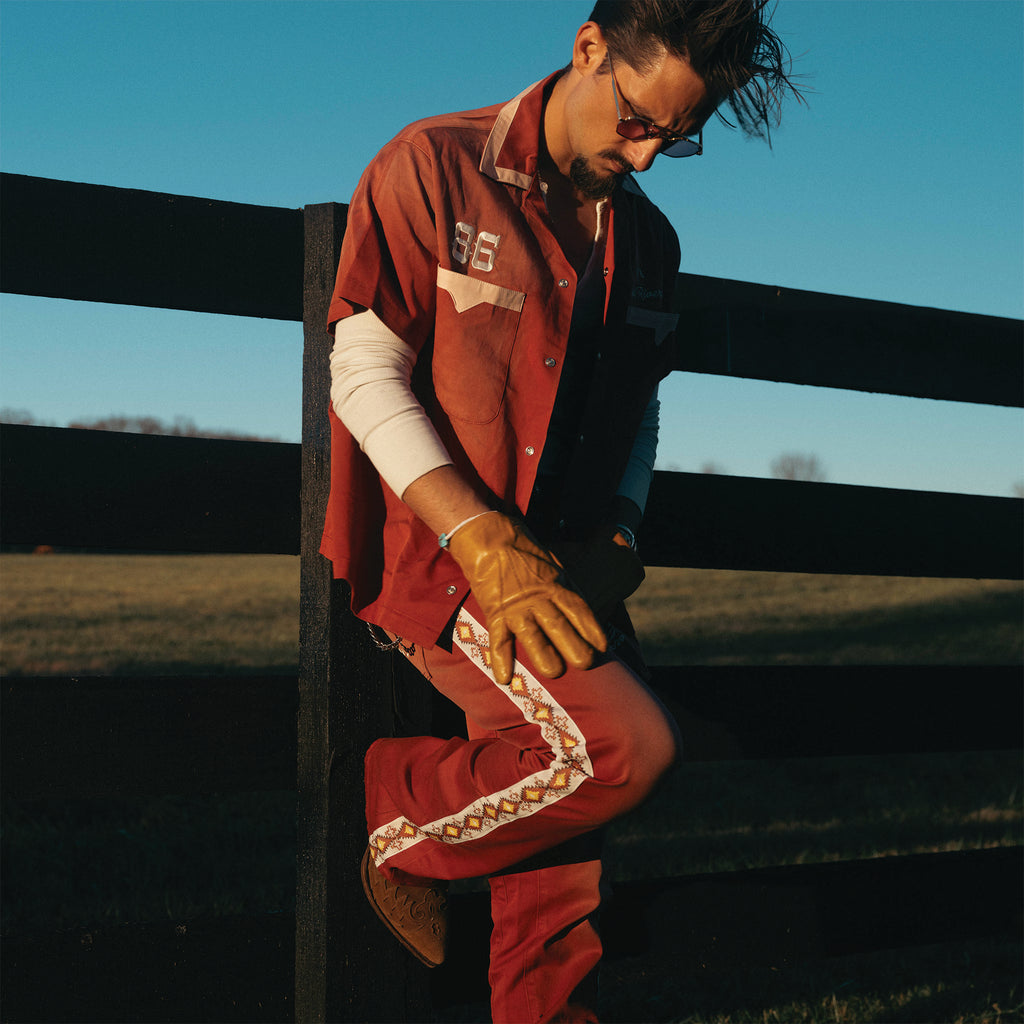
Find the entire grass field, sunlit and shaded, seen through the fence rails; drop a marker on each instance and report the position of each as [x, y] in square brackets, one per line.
[86, 864]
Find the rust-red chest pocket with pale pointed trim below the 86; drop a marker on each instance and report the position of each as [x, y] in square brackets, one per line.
[475, 334]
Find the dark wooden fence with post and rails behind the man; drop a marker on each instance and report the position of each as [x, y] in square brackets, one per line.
[84, 738]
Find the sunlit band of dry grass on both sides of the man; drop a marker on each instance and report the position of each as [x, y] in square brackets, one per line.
[67, 615]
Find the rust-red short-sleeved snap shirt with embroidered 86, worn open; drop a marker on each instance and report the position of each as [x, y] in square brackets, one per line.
[449, 242]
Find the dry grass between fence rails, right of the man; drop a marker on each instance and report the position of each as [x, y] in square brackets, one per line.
[719, 617]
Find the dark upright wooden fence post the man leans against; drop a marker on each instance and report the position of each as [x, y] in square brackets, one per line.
[347, 966]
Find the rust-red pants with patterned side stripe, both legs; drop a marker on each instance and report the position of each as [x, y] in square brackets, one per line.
[546, 761]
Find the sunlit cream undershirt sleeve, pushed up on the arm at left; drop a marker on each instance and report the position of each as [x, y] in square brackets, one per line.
[371, 393]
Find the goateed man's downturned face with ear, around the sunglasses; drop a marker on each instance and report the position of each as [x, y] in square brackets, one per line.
[672, 96]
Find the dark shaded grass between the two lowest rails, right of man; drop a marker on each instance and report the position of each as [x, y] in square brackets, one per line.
[714, 817]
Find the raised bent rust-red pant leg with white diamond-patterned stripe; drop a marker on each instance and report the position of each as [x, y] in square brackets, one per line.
[553, 759]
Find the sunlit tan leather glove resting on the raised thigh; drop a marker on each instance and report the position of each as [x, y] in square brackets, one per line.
[526, 599]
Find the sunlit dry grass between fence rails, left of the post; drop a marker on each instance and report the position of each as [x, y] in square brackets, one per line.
[110, 615]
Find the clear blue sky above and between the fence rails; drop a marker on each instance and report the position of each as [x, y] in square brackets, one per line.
[902, 180]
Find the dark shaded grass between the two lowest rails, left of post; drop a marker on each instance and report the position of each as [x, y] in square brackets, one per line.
[82, 864]
